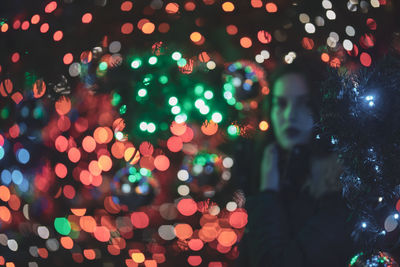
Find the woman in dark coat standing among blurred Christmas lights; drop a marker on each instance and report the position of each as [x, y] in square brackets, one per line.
[296, 214]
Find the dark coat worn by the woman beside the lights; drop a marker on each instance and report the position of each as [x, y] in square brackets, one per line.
[290, 227]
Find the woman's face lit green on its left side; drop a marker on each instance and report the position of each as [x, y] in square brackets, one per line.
[291, 115]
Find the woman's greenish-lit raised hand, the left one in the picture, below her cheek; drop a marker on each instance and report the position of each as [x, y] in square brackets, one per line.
[269, 169]
